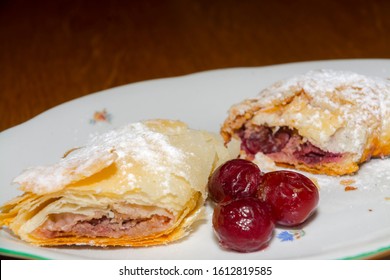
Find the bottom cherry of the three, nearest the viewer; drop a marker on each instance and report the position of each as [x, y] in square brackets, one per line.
[243, 225]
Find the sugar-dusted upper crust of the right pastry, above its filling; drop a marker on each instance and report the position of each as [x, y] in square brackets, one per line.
[336, 111]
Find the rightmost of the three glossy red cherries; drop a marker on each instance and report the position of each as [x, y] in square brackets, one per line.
[292, 196]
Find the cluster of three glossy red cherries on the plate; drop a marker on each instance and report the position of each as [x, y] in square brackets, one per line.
[250, 203]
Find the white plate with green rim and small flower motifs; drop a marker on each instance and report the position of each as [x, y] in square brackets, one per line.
[354, 224]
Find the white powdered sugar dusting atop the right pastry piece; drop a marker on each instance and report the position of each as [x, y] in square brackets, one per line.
[367, 92]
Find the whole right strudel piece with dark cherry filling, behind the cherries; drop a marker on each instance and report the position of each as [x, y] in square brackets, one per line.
[324, 121]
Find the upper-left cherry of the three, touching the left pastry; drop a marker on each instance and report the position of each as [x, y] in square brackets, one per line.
[234, 179]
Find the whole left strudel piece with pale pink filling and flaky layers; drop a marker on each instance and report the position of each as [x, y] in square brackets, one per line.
[139, 185]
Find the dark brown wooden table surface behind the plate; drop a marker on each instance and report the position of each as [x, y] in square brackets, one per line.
[55, 51]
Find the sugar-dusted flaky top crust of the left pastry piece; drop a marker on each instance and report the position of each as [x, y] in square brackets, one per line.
[160, 150]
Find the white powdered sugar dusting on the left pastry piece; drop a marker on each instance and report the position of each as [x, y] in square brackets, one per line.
[145, 146]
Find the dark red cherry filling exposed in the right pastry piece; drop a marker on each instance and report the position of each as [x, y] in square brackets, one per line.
[283, 145]
